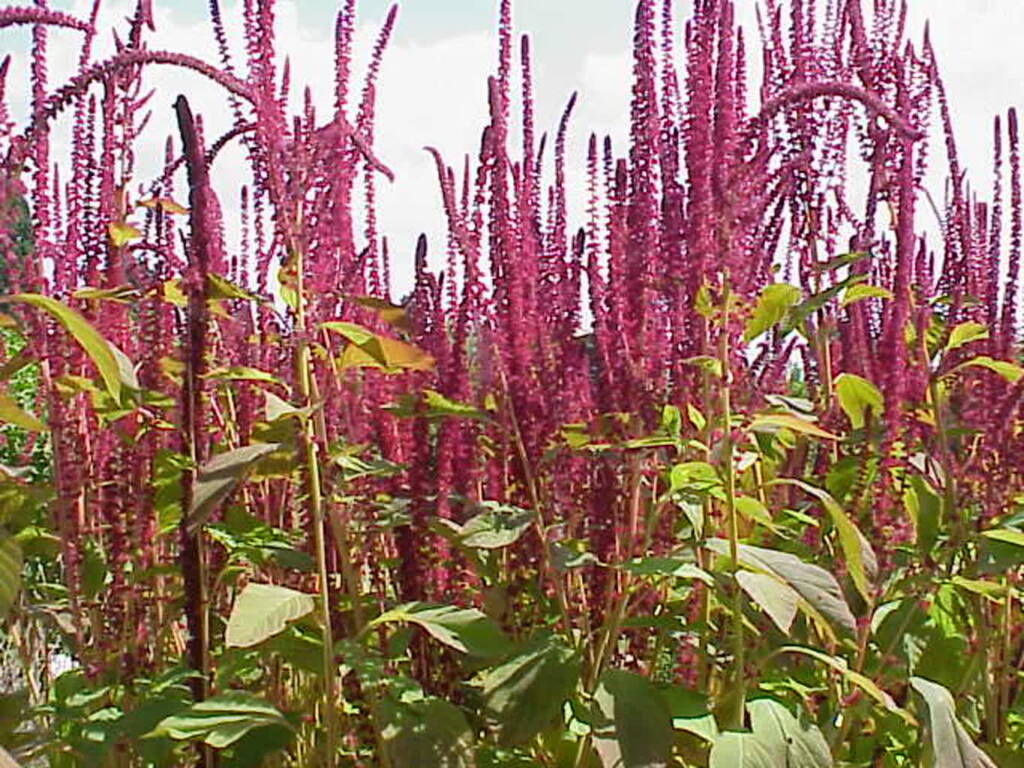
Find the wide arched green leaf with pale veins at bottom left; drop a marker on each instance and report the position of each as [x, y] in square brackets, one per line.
[221, 721]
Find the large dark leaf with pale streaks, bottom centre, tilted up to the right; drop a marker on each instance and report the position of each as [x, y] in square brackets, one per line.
[525, 695]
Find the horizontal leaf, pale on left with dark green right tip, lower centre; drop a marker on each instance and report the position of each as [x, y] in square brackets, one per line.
[466, 630]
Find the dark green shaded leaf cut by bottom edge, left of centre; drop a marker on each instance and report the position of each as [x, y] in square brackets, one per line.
[425, 732]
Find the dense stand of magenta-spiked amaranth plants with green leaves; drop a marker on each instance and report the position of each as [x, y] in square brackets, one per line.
[728, 475]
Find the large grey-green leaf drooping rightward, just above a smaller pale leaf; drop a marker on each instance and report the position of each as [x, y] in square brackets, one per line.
[820, 590]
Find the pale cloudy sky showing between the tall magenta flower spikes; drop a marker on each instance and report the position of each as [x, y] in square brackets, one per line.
[433, 89]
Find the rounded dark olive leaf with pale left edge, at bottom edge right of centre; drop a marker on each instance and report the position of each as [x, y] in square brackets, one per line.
[633, 723]
